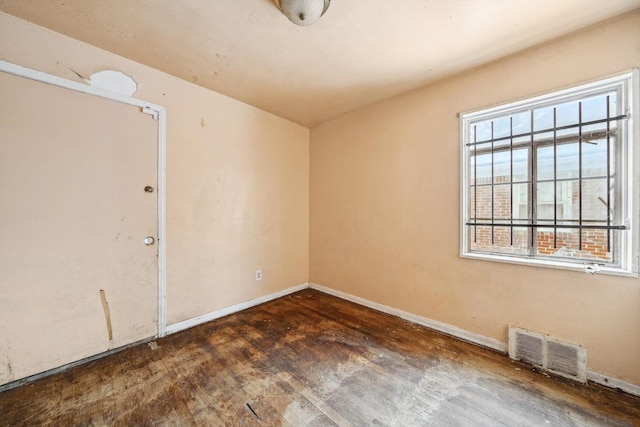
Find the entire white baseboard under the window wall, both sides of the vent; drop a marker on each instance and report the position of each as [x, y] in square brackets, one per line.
[471, 337]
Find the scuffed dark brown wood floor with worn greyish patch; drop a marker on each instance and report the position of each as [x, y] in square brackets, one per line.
[312, 359]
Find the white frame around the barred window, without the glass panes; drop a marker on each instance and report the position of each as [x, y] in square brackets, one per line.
[628, 157]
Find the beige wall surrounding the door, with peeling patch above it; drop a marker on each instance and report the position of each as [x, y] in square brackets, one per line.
[237, 178]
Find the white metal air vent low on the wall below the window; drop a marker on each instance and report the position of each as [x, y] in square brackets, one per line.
[561, 358]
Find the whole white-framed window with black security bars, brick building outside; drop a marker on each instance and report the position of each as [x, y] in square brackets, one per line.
[553, 180]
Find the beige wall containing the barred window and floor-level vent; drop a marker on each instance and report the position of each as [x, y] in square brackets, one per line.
[385, 201]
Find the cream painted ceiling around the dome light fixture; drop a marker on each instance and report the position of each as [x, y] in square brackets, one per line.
[358, 53]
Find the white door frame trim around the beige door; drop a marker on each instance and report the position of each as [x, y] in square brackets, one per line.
[160, 114]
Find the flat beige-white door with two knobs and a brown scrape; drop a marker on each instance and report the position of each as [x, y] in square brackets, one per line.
[74, 215]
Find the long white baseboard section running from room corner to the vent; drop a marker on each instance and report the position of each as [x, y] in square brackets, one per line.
[432, 324]
